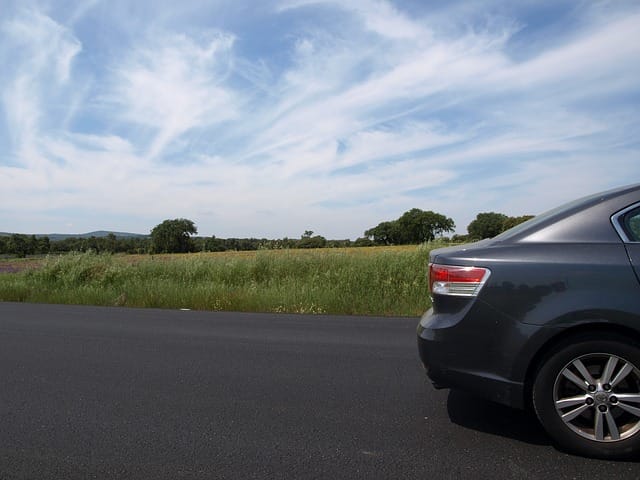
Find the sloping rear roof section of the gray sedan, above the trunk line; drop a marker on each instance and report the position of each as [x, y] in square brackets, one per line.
[587, 219]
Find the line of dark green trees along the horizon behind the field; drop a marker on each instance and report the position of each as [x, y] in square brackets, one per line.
[180, 236]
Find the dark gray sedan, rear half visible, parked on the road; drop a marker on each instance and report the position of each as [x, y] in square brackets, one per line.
[547, 316]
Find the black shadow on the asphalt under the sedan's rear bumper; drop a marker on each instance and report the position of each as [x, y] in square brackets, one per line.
[482, 415]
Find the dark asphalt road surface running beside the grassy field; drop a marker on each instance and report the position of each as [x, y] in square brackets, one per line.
[89, 392]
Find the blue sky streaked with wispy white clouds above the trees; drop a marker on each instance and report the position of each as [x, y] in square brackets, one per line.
[270, 118]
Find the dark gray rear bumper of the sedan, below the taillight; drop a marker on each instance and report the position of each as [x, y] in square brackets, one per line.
[457, 357]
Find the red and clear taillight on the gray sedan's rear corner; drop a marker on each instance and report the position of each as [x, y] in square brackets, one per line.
[456, 280]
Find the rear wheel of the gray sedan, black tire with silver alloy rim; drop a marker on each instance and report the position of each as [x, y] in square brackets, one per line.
[586, 394]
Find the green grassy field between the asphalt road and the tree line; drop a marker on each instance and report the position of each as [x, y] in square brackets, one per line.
[358, 281]
